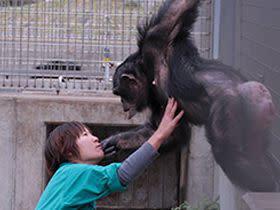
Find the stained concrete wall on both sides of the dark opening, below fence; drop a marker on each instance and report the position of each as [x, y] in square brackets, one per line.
[23, 123]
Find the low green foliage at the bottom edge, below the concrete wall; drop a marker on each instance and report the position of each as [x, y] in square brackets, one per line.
[204, 205]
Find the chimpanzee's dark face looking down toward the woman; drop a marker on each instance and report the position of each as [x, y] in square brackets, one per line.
[130, 83]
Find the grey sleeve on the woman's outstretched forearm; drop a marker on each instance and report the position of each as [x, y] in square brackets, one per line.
[136, 163]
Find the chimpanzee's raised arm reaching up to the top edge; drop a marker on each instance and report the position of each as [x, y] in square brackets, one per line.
[156, 43]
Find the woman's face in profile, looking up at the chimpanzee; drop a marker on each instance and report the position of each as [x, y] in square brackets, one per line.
[90, 148]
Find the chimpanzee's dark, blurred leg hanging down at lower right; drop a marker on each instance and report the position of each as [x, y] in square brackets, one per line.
[238, 147]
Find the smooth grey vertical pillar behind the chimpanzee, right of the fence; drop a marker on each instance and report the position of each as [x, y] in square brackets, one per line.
[230, 196]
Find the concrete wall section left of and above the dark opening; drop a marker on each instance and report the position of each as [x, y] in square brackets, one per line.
[23, 133]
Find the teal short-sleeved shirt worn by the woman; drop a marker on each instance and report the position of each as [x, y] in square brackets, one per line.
[78, 186]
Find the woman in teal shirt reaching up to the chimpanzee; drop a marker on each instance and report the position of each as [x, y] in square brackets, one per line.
[72, 154]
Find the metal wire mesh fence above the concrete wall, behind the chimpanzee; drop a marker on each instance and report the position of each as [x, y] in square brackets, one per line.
[75, 44]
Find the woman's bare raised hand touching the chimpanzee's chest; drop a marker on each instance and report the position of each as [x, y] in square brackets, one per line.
[167, 125]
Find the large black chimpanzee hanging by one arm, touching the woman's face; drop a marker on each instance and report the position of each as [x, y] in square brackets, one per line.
[237, 113]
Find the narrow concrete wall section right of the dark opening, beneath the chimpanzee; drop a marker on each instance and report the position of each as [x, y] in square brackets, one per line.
[202, 179]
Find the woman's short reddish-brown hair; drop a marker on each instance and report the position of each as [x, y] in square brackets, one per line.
[61, 145]
